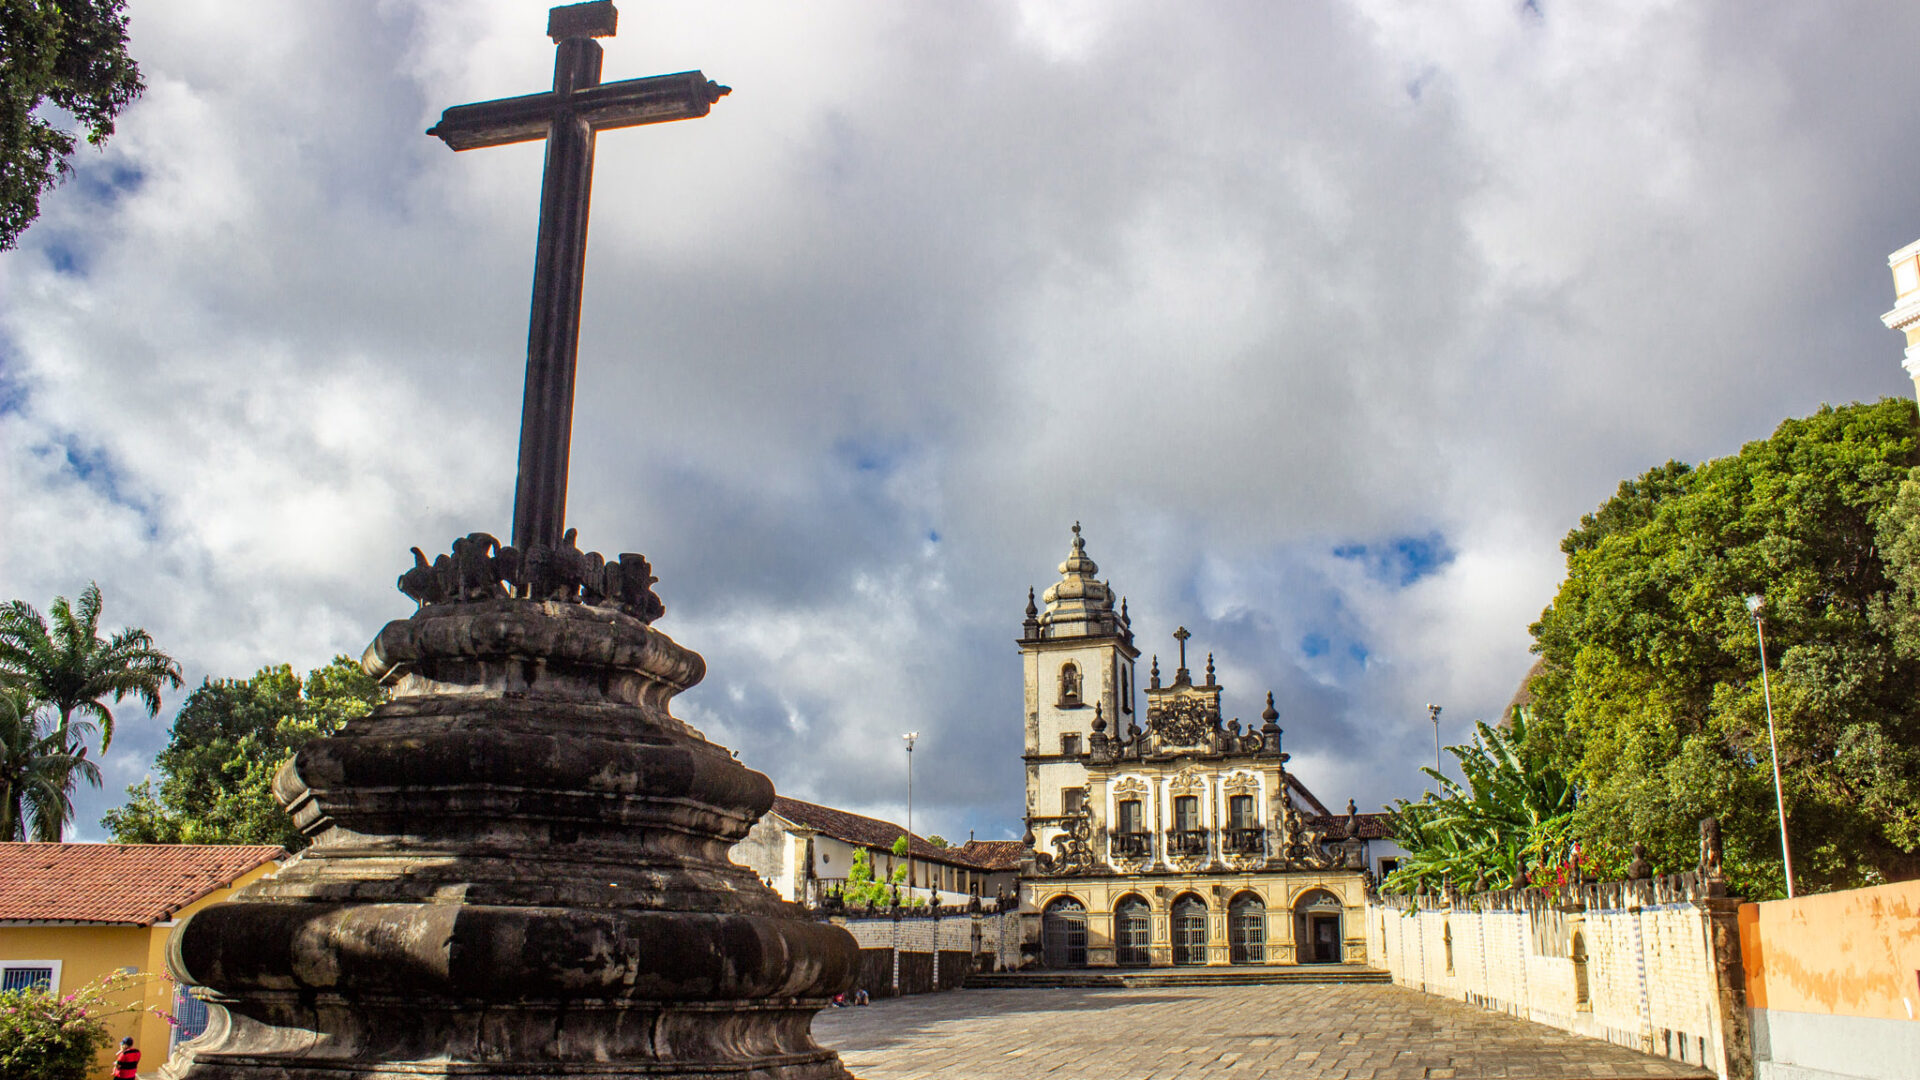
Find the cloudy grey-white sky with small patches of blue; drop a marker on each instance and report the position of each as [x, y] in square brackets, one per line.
[1326, 318]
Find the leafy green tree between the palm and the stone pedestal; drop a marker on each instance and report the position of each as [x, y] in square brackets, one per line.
[229, 739]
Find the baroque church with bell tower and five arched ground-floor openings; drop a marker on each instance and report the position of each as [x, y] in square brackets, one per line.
[1161, 833]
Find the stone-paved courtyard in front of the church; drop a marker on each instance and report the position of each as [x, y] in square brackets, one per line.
[1322, 1033]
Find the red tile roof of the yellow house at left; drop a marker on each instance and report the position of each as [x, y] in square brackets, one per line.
[116, 883]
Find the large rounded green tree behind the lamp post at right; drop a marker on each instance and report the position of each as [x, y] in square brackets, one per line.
[1650, 691]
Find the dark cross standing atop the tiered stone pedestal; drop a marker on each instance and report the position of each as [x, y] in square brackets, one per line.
[567, 118]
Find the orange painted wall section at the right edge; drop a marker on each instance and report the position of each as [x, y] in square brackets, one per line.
[1848, 954]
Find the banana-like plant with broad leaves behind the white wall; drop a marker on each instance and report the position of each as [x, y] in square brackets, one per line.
[1512, 816]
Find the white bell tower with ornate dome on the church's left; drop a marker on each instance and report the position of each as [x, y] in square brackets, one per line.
[1078, 654]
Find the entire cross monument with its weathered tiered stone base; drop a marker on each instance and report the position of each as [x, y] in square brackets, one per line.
[519, 864]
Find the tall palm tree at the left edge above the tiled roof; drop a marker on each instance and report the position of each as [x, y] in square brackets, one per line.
[66, 668]
